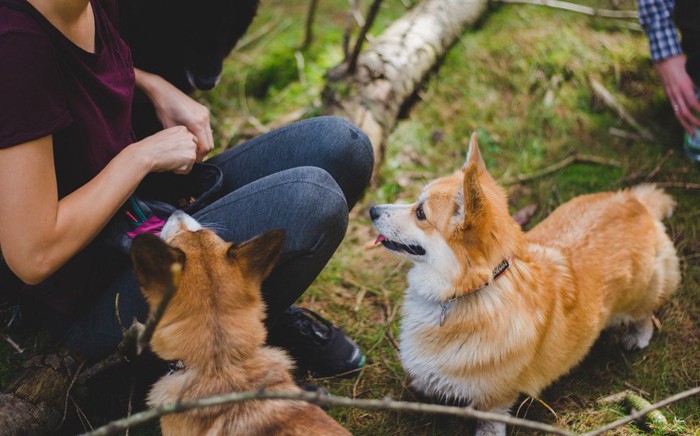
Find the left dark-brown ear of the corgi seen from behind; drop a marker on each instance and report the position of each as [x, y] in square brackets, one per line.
[152, 260]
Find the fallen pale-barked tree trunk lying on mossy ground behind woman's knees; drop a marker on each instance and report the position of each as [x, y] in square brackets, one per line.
[391, 68]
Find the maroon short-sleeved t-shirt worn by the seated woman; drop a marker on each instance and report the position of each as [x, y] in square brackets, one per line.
[50, 86]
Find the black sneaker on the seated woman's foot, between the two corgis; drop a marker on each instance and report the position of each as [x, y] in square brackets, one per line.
[316, 344]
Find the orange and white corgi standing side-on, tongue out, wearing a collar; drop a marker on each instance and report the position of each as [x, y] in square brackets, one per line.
[491, 312]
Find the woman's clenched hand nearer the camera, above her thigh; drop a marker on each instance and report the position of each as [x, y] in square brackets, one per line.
[172, 149]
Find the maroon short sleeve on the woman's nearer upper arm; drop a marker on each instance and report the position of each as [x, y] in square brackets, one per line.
[32, 99]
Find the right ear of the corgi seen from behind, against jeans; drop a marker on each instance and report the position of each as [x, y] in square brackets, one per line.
[261, 253]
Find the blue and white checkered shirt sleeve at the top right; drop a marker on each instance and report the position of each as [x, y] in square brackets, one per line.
[656, 17]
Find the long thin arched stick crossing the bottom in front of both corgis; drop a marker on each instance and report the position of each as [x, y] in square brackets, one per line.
[318, 399]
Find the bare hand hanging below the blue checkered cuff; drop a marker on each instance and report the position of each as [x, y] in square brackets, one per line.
[680, 91]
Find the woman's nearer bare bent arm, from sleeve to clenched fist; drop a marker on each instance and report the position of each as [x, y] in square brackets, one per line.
[39, 233]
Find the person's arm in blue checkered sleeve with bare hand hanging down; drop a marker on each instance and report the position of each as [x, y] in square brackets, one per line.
[656, 17]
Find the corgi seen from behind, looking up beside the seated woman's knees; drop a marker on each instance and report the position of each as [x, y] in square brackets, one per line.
[214, 326]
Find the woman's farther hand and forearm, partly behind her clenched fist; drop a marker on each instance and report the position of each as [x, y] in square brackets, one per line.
[175, 108]
